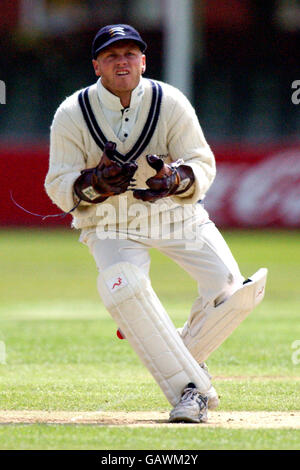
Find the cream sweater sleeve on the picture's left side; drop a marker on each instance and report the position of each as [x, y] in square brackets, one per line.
[66, 160]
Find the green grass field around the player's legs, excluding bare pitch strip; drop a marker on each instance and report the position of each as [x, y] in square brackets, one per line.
[59, 350]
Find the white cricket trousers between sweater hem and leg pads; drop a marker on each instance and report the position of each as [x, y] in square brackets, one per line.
[208, 260]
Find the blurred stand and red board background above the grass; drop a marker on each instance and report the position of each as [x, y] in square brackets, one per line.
[237, 61]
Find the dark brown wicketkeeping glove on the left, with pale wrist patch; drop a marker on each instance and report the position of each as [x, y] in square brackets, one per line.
[108, 178]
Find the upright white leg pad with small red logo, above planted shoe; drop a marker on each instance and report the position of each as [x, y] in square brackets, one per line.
[133, 304]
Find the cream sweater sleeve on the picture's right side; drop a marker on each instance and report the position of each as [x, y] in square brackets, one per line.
[186, 141]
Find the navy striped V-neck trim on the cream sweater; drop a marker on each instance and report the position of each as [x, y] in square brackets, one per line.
[146, 134]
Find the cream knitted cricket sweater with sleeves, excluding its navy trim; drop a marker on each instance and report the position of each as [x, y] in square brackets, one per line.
[177, 135]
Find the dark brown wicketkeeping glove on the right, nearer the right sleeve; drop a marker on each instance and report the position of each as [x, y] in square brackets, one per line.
[175, 178]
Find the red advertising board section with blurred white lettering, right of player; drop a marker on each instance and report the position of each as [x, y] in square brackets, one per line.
[256, 186]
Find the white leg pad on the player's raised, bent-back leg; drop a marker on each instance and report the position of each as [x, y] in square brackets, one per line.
[206, 330]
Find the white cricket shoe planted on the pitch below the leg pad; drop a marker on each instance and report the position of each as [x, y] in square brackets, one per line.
[192, 407]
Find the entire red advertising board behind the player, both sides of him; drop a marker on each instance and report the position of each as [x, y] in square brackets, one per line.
[255, 186]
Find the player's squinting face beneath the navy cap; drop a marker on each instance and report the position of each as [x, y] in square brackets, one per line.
[120, 67]
